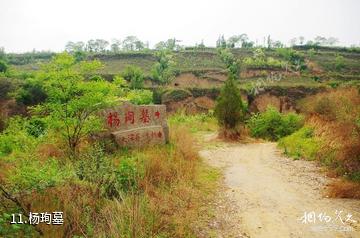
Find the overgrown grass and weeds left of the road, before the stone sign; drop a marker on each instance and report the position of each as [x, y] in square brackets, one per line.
[160, 191]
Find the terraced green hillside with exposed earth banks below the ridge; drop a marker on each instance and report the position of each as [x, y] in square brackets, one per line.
[266, 74]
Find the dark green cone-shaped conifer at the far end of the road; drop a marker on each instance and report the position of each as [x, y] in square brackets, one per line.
[229, 108]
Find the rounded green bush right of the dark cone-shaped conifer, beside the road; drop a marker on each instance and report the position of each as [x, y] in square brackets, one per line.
[273, 125]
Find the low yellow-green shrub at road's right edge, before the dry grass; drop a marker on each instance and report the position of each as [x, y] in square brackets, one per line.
[301, 144]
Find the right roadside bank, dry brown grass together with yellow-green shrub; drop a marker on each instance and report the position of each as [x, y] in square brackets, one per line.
[331, 135]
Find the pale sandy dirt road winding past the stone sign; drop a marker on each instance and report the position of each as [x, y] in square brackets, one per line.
[266, 195]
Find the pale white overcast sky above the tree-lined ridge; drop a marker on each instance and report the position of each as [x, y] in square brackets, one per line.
[49, 24]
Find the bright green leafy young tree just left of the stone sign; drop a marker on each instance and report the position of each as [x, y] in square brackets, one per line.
[73, 102]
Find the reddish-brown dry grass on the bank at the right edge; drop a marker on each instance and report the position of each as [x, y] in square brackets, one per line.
[335, 116]
